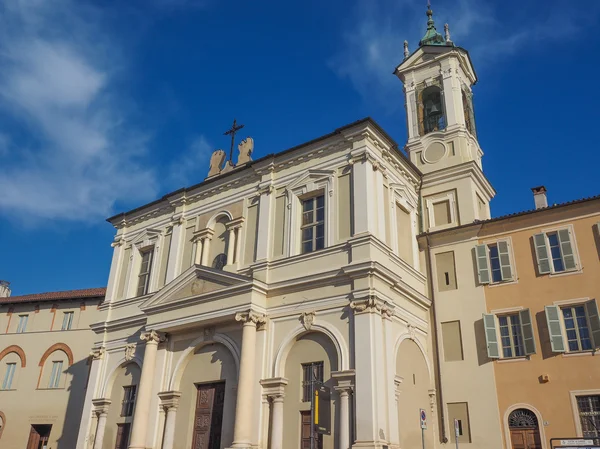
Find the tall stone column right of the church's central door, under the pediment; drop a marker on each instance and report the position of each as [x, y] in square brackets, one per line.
[242, 430]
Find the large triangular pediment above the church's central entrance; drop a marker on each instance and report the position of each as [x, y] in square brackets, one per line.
[195, 281]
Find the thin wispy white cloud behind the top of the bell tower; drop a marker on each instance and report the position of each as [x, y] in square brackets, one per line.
[373, 40]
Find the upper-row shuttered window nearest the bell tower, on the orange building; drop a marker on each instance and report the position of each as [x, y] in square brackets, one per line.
[494, 262]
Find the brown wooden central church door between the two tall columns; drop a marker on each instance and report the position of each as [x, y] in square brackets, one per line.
[208, 418]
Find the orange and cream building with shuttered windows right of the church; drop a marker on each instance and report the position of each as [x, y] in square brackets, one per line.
[530, 321]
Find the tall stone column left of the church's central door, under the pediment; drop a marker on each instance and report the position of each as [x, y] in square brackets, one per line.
[144, 394]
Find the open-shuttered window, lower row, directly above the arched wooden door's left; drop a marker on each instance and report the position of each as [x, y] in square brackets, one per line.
[509, 335]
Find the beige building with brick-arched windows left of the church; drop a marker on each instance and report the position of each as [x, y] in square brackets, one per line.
[45, 341]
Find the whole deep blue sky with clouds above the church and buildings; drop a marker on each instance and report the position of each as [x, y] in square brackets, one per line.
[107, 105]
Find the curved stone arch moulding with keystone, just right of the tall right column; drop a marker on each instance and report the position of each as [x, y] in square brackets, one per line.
[334, 335]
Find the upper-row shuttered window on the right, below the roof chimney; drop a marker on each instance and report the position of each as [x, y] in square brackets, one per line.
[555, 251]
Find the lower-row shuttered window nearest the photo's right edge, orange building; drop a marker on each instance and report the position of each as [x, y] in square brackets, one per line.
[574, 327]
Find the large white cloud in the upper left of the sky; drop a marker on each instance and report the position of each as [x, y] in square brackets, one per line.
[57, 81]
